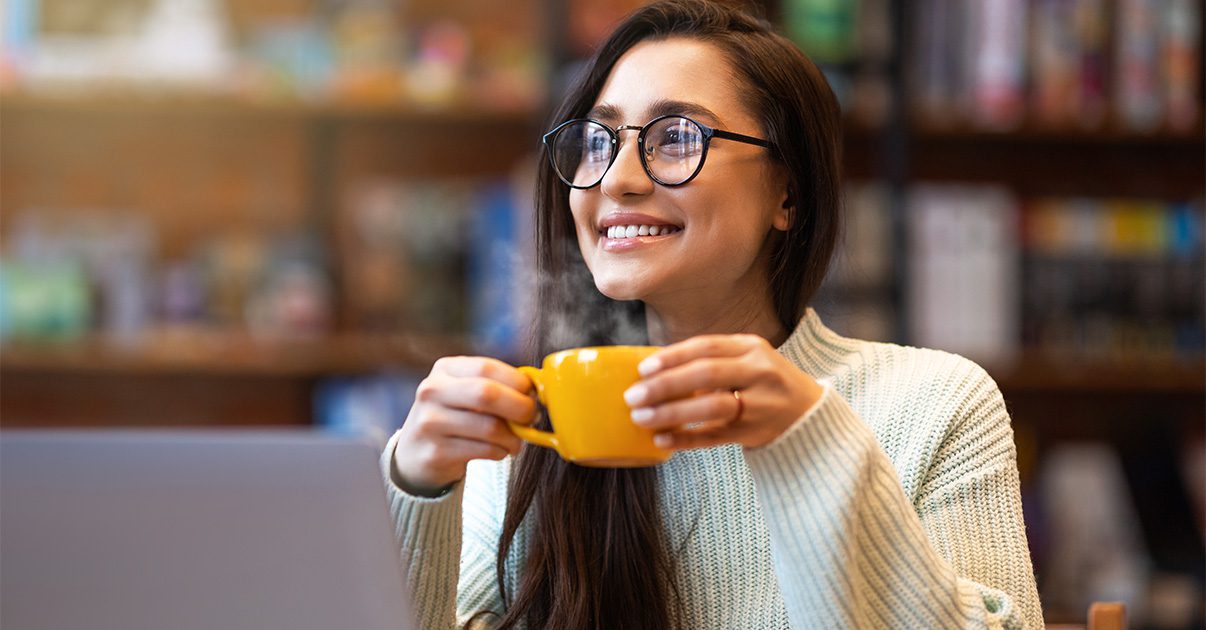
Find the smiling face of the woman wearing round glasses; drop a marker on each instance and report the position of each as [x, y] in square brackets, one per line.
[718, 223]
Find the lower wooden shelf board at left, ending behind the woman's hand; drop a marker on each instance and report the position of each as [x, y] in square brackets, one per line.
[229, 354]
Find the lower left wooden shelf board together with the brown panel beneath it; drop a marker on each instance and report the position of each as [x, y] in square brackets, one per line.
[194, 378]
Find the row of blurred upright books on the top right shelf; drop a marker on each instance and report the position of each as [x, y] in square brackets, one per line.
[1070, 65]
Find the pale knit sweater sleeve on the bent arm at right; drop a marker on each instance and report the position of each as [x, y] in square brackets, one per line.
[851, 550]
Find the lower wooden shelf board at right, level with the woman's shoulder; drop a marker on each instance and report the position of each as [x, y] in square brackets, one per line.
[1043, 375]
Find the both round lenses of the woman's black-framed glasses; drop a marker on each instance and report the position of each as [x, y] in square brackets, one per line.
[674, 148]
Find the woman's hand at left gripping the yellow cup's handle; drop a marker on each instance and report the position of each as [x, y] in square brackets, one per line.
[459, 416]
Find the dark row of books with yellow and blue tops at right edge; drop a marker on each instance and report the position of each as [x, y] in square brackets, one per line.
[1114, 279]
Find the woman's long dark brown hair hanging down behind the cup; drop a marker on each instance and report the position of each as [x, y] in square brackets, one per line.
[598, 556]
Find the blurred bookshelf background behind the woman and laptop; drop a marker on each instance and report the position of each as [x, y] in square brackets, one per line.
[251, 213]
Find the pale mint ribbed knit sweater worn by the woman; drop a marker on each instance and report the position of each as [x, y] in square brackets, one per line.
[893, 503]
